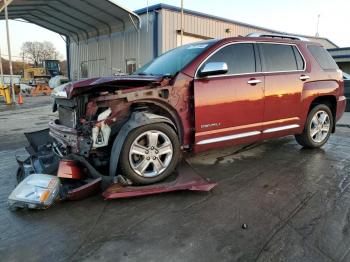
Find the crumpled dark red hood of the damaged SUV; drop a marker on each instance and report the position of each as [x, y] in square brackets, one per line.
[104, 83]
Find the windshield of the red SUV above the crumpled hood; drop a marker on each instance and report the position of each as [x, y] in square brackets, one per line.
[173, 61]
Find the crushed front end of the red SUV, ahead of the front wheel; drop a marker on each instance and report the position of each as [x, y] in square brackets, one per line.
[91, 113]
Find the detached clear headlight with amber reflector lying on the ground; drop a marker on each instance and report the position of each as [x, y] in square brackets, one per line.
[37, 191]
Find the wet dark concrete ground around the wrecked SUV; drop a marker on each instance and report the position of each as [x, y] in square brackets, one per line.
[294, 201]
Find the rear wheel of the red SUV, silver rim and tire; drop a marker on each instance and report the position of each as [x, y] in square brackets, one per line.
[316, 133]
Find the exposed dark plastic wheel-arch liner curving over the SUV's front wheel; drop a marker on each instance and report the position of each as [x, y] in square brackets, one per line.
[137, 119]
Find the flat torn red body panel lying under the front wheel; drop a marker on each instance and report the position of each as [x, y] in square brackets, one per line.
[185, 179]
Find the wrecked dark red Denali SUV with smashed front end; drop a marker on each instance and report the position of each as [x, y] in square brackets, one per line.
[198, 97]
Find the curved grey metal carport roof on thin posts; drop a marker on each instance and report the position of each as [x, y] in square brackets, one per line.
[77, 19]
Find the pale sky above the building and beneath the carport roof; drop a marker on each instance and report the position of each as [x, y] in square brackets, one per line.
[292, 16]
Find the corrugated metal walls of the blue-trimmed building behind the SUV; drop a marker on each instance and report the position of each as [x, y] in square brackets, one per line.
[108, 55]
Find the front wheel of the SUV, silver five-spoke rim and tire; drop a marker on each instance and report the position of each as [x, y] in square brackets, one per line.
[150, 154]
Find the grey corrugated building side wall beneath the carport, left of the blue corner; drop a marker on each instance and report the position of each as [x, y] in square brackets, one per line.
[107, 55]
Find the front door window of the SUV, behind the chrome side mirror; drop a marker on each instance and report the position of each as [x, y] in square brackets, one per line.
[240, 58]
